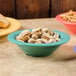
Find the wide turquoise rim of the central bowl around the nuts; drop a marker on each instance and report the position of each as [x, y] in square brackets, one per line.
[64, 38]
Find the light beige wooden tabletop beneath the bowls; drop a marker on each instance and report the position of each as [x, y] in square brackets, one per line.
[13, 62]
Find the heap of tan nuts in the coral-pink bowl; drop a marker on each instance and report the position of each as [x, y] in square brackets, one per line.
[70, 16]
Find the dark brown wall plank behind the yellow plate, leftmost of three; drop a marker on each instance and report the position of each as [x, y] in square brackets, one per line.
[7, 7]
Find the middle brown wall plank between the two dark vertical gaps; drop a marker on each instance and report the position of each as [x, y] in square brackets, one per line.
[32, 8]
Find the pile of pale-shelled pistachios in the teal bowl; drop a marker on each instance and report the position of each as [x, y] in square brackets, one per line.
[38, 35]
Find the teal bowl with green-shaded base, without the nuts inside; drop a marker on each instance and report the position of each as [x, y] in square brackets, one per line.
[38, 50]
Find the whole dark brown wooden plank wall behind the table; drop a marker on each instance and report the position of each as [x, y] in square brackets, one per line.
[28, 9]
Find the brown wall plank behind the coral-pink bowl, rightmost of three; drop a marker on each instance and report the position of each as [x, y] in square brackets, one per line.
[60, 6]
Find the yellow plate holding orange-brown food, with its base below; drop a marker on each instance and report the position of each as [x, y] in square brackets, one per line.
[7, 26]
